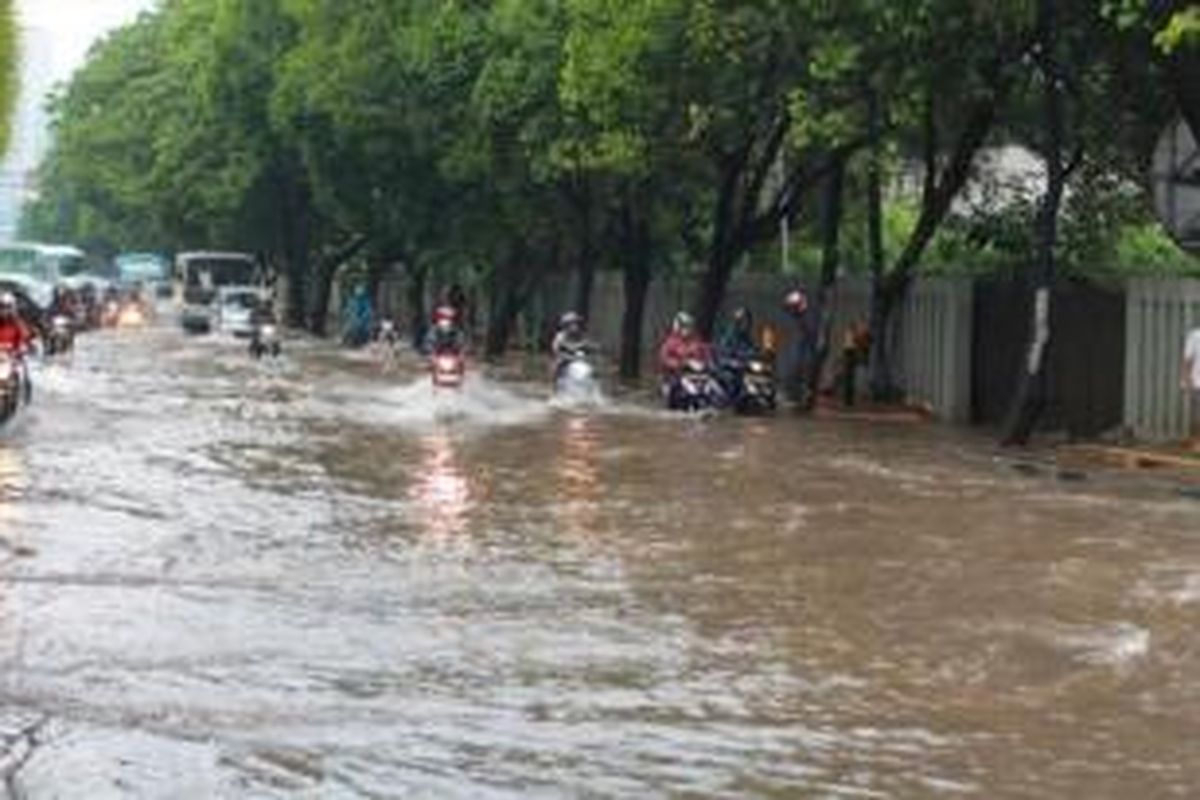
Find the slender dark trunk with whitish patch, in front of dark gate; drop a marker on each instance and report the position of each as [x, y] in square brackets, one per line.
[1033, 390]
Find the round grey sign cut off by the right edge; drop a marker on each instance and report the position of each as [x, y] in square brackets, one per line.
[1177, 184]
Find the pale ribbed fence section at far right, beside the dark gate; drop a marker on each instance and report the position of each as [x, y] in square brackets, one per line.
[1159, 316]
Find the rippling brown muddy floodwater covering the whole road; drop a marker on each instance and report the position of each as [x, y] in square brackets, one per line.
[313, 581]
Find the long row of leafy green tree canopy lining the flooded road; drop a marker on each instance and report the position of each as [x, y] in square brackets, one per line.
[513, 140]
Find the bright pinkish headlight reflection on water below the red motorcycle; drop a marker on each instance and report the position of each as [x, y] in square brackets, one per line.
[441, 490]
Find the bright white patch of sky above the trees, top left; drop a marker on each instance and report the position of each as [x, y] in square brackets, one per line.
[74, 26]
